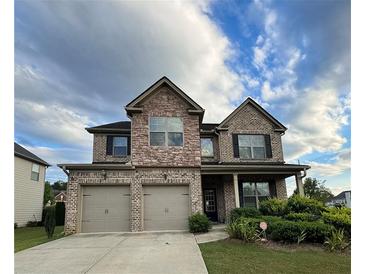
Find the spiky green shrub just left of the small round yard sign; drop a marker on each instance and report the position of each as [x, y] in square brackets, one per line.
[243, 229]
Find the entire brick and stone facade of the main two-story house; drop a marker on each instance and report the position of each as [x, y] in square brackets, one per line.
[150, 165]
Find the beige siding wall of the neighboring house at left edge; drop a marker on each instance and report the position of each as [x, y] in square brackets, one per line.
[28, 196]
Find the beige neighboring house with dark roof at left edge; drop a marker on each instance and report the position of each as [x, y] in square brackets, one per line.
[29, 176]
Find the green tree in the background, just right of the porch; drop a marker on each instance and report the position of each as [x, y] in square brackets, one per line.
[315, 189]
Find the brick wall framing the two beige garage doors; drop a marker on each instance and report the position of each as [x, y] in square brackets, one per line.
[136, 179]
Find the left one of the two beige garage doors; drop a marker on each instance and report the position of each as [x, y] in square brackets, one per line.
[105, 208]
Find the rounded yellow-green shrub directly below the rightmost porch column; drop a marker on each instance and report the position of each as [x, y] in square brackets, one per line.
[299, 204]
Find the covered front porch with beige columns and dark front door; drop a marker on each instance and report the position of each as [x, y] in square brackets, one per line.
[225, 187]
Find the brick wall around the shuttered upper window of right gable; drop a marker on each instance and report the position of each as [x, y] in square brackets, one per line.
[249, 121]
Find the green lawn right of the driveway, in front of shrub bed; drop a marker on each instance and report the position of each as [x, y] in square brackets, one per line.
[235, 257]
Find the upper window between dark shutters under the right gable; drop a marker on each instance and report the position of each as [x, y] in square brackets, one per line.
[251, 146]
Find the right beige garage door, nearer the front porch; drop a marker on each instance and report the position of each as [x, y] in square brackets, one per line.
[166, 207]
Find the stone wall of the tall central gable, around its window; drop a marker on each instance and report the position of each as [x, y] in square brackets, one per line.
[165, 103]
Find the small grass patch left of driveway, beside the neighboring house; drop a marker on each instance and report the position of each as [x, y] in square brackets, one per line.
[26, 237]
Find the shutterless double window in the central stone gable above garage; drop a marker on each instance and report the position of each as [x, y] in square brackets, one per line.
[166, 131]
